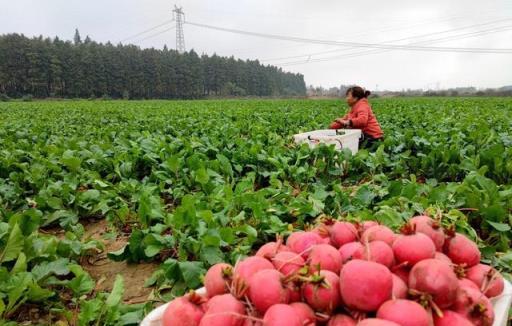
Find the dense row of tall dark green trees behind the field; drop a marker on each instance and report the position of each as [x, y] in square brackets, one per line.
[45, 67]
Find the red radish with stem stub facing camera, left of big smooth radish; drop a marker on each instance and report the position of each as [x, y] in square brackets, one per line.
[322, 292]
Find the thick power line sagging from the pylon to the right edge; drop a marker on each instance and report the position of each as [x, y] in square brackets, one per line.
[357, 44]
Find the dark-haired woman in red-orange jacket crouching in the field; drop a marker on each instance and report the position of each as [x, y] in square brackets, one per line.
[360, 117]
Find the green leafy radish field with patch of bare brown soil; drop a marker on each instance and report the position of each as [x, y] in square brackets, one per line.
[109, 207]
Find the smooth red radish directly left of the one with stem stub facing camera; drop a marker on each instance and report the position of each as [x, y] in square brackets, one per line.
[266, 288]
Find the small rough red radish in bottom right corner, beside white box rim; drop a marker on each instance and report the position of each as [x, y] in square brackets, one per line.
[475, 306]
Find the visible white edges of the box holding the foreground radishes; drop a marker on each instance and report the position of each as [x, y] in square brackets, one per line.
[501, 306]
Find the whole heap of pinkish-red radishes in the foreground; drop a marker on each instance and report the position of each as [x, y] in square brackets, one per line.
[341, 274]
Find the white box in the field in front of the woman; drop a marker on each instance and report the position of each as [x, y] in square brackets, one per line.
[341, 138]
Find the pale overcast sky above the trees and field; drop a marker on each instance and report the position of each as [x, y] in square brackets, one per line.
[364, 21]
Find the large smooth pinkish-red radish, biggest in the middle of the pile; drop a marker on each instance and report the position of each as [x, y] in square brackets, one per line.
[365, 285]
